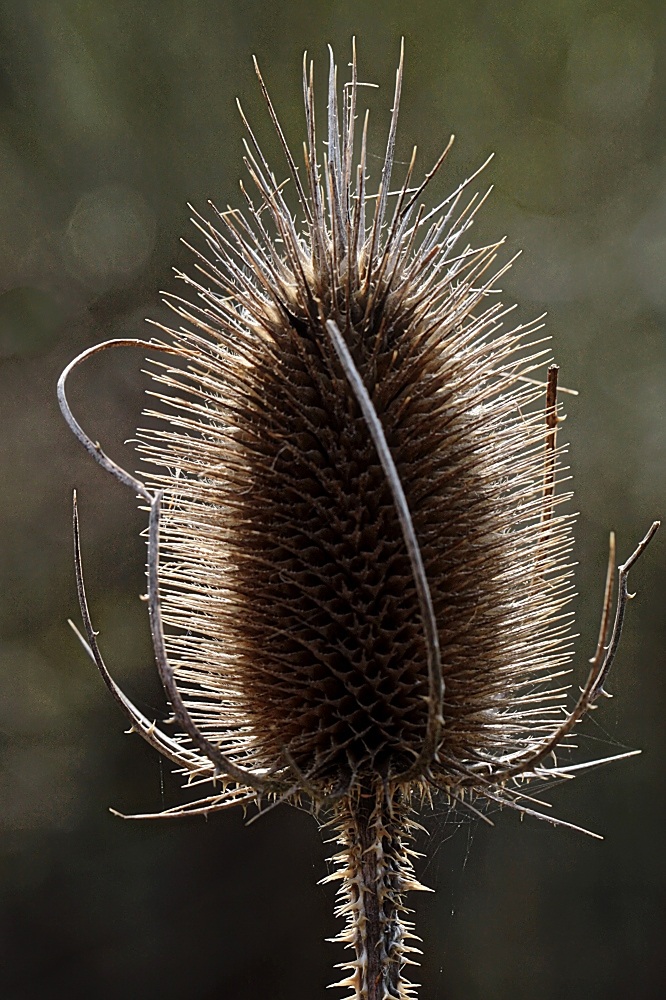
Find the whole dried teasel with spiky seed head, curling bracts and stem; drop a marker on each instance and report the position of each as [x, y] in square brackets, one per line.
[358, 574]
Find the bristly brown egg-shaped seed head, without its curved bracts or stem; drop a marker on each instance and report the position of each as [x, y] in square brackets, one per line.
[292, 615]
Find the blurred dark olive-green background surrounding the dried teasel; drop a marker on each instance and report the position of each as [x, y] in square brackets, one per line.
[113, 116]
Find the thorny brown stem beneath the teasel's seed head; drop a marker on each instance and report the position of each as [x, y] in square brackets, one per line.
[374, 828]
